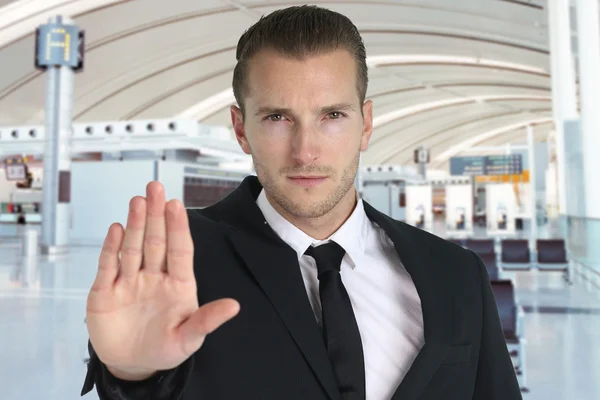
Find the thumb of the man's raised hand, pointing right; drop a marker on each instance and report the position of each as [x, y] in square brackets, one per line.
[204, 321]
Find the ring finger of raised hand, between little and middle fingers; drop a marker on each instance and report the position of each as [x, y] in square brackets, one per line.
[133, 242]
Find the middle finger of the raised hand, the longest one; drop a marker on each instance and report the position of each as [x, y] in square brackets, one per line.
[155, 237]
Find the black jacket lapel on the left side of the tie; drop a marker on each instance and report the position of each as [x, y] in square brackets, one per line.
[275, 267]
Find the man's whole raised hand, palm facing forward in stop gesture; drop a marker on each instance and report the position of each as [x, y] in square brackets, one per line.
[142, 309]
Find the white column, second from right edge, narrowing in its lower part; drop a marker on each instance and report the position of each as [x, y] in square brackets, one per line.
[564, 94]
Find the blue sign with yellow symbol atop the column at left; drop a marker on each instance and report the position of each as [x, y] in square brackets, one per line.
[59, 45]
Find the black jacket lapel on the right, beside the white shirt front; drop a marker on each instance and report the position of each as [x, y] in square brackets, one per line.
[436, 304]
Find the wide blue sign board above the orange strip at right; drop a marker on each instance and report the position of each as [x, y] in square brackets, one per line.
[511, 164]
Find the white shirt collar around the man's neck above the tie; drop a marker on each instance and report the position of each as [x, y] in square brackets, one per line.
[352, 235]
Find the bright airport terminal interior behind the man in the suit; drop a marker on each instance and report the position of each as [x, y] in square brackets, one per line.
[485, 132]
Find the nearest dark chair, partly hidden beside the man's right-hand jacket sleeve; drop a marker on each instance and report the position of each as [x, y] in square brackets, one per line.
[511, 319]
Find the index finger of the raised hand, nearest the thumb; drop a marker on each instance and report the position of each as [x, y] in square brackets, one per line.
[180, 246]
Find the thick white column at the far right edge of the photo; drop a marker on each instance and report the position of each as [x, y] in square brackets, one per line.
[588, 30]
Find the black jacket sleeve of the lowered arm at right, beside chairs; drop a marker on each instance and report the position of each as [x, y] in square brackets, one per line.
[496, 377]
